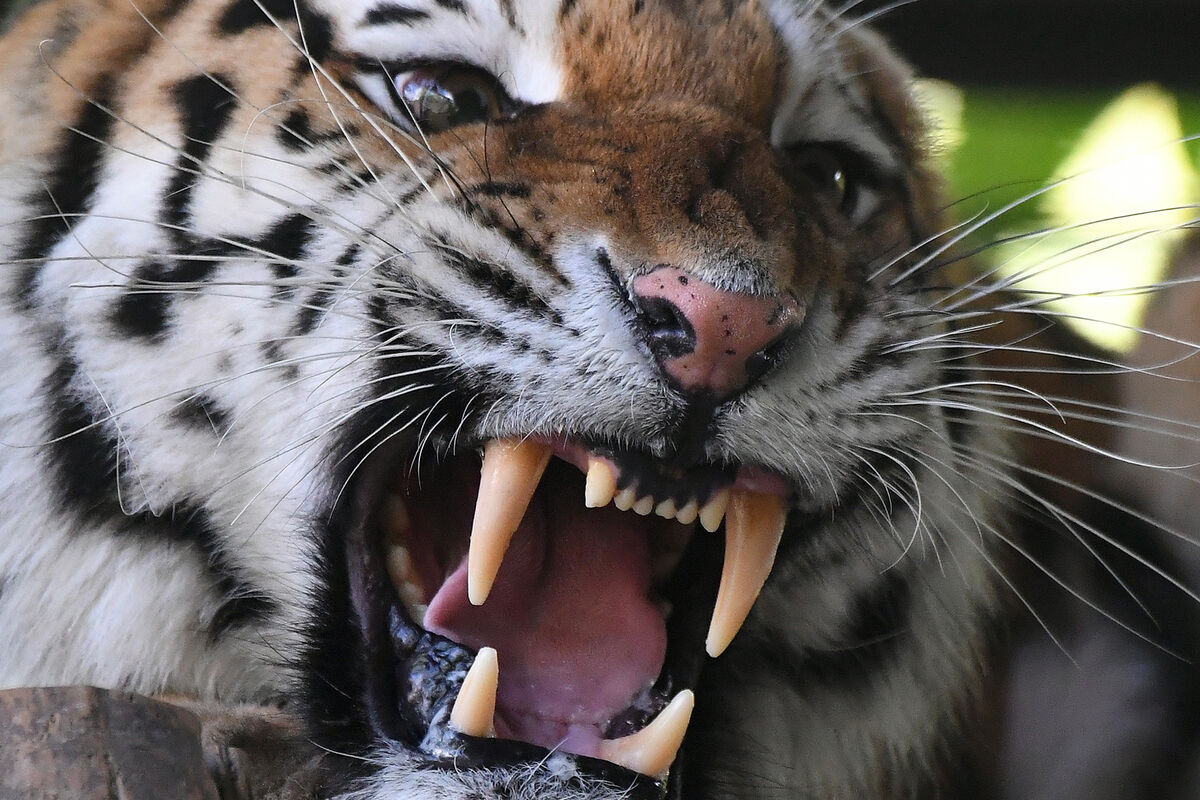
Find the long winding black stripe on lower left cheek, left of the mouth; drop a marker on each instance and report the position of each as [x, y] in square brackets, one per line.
[83, 460]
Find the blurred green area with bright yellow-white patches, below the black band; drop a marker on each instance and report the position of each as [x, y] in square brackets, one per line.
[1093, 191]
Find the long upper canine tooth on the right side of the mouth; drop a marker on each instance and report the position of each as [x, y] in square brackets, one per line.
[753, 531]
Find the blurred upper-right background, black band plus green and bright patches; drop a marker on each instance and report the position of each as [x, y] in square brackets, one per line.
[1097, 99]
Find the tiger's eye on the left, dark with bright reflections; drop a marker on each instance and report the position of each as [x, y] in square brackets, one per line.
[441, 99]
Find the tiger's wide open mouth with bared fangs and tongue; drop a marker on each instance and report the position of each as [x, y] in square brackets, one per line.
[518, 601]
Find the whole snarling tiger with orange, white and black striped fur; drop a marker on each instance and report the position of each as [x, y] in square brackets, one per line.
[574, 400]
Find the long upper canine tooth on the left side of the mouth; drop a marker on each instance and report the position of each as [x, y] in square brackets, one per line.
[512, 472]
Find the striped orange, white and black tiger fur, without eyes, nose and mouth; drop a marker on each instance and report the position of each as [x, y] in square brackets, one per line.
[235, 270]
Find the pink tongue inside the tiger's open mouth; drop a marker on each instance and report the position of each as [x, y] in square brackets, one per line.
[571, 618]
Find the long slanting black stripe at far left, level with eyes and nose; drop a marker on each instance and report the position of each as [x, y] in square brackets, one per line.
[70, 187]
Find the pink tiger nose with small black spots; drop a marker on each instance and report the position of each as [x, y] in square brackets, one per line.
[709, 340]
